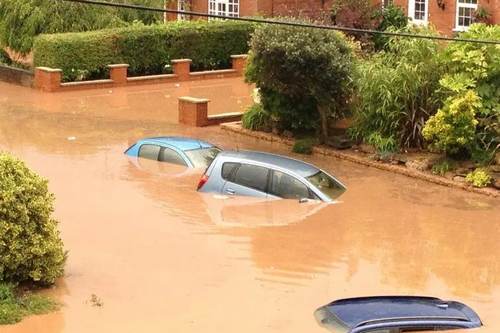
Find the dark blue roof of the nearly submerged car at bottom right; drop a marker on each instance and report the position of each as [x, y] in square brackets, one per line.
[358, 311]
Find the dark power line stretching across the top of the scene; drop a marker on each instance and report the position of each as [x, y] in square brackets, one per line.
[295, 24]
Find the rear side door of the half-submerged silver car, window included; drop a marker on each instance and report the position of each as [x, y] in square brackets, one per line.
[247, 180]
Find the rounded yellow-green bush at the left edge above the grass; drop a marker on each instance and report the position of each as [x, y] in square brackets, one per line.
[30, 246]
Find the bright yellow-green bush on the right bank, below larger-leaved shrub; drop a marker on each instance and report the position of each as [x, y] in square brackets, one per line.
[453, 128]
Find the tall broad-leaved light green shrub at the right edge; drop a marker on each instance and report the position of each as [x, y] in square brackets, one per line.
[476, 67]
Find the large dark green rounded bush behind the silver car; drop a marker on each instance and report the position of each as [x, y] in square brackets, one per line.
[301, 64]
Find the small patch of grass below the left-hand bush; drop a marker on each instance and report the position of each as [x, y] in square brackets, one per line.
[15, 305]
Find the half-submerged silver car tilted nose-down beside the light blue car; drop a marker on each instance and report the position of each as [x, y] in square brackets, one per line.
[257, 174]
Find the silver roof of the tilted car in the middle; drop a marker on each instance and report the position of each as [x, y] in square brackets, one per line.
[302, 169]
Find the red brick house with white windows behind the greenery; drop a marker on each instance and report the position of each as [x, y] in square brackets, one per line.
[448, 16]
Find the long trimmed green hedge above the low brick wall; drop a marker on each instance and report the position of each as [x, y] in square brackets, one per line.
[147, 49]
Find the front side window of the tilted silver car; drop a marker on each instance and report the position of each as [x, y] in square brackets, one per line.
[288, 187]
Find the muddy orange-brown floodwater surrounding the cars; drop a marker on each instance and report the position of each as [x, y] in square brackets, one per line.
[163, 258]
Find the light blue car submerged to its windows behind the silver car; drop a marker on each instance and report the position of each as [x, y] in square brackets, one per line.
[192, 153]
